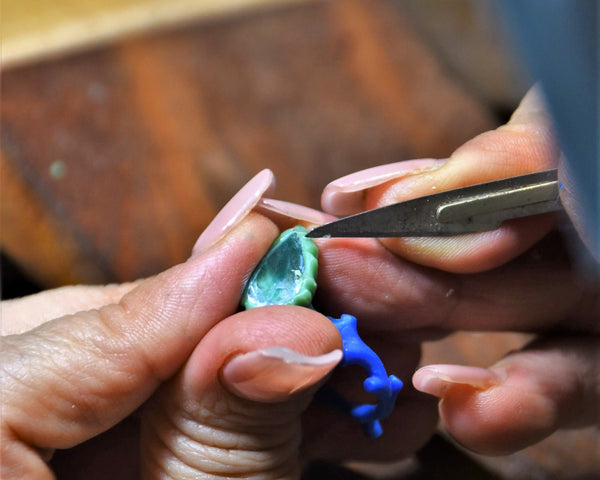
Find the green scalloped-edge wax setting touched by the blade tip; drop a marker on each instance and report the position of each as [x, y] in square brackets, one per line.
[287, 273]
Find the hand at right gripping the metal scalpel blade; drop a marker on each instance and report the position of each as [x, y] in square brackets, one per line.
[513, 278]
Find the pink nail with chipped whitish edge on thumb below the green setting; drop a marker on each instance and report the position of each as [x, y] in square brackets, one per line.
[275, 373]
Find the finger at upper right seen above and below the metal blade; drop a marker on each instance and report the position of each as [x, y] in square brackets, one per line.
[522, 146]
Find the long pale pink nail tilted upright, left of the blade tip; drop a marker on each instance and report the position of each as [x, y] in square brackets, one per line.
[235, 210]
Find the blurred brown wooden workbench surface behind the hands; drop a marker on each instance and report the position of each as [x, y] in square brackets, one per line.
[127, 124]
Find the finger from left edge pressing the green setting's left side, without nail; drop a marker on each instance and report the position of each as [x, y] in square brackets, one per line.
[76, 376]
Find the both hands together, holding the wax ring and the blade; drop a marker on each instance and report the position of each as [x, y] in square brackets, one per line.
[218, 400]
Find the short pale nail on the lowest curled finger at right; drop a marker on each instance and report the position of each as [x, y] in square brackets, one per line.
[435, 379]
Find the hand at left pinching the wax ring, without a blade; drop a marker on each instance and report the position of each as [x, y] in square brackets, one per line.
[78, 363]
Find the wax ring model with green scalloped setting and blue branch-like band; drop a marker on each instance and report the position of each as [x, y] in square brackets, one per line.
[287, 276]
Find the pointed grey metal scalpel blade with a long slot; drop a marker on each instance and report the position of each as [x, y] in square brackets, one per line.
[470, 209]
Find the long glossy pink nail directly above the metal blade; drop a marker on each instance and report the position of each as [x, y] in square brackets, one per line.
[345, 195]
